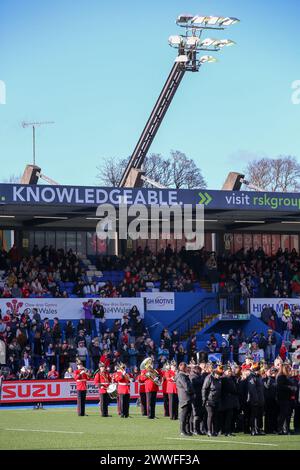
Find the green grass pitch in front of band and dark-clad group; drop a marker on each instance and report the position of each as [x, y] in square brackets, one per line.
[61, 428]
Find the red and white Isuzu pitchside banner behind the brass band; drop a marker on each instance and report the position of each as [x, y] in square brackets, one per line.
[22, 391]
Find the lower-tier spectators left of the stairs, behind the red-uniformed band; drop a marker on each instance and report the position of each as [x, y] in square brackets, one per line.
[50, 347]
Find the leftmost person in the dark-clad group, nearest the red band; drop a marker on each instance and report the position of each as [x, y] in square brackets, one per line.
[185, 397]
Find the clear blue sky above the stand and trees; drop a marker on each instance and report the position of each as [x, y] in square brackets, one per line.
[96, 68]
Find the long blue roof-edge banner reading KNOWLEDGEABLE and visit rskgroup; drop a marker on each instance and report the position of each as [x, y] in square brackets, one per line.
[93, 196]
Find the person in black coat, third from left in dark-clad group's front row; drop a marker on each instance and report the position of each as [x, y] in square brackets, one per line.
[211, 398]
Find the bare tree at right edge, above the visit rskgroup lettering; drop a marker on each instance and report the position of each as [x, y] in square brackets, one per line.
[275, 174]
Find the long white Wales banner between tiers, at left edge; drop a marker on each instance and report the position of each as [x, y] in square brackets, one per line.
[72, 309]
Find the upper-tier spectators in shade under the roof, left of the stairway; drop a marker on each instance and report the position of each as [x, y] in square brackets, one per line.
[45, 271]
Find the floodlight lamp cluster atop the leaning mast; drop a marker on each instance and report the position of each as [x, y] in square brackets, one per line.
[191, 42]
